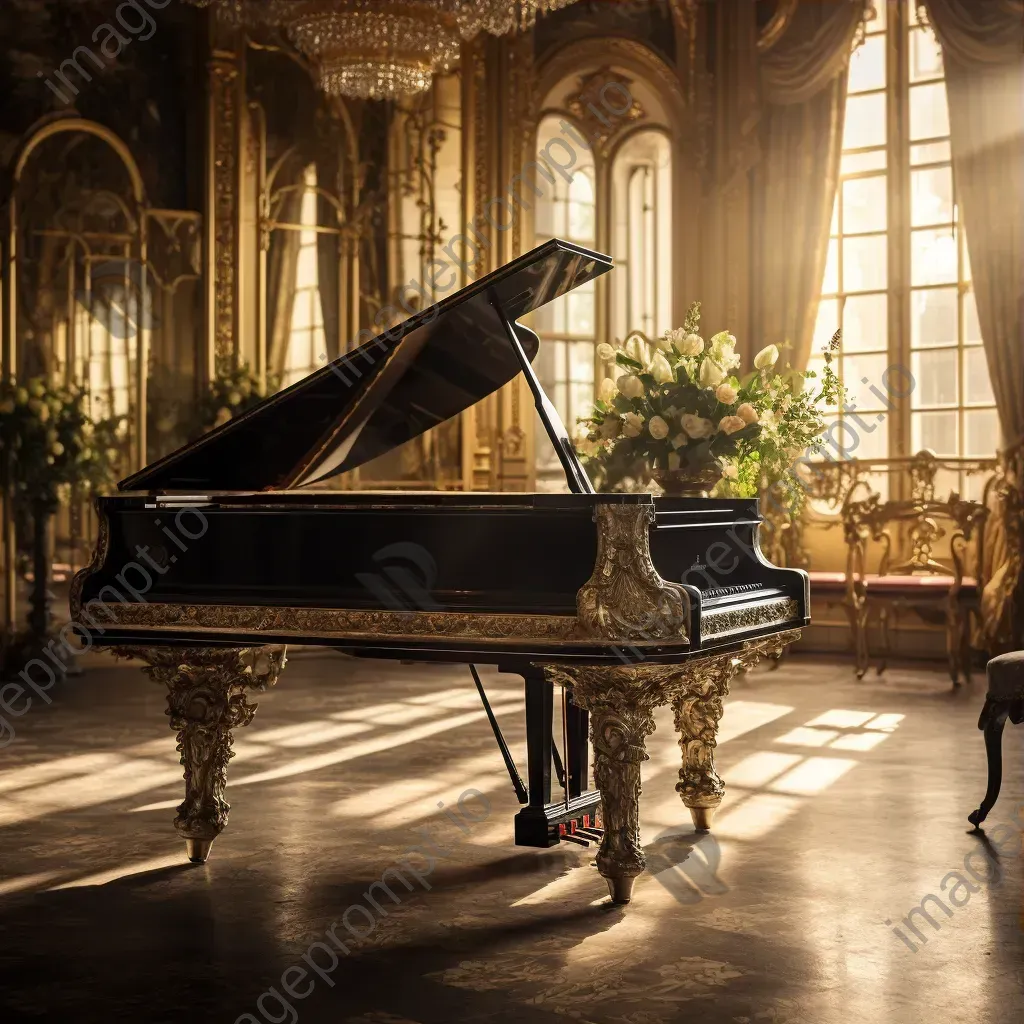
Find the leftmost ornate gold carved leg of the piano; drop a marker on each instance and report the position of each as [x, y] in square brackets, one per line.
[206, 699]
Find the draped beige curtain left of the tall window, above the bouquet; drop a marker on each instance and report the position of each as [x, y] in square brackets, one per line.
[803, 81]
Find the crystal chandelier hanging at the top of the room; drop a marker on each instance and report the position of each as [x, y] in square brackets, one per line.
[380, 50]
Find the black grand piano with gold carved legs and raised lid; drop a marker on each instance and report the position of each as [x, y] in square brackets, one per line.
[212, 560]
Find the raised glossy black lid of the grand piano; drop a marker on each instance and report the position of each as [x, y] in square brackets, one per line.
[397, 387]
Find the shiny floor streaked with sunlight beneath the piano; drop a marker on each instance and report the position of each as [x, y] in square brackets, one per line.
[846, 809]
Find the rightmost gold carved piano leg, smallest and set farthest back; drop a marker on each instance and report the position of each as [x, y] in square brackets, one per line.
[698, 716]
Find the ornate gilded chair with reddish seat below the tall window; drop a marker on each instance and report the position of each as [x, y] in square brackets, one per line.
[912, 556]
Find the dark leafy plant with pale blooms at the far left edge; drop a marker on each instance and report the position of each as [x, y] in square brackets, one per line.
[50, 444]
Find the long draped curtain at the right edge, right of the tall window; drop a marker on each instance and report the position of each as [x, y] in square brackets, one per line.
[984, 53]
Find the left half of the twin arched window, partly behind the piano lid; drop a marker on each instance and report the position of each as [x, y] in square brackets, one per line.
[568, 326]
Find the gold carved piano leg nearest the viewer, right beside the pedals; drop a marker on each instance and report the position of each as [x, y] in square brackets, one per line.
[621, 719]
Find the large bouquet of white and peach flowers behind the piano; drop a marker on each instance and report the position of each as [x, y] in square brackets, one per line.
[681, 413]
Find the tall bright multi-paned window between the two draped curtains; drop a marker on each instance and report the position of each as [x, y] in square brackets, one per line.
[898, 278]
